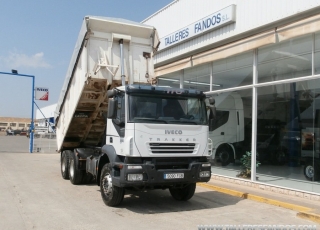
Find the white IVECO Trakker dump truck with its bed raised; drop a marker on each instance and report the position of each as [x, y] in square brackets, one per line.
[114, 125]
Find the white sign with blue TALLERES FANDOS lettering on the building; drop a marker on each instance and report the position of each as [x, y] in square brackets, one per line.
[220, 18]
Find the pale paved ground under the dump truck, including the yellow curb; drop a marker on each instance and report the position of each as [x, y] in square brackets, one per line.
[34, 196]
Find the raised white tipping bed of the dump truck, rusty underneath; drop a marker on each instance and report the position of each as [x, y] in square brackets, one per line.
[96, 66]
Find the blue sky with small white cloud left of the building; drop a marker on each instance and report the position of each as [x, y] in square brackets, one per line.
[37, 38]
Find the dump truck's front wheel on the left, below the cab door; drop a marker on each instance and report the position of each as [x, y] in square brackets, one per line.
[111, 195]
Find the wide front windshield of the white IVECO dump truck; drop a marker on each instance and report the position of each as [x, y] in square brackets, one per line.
[170, 110]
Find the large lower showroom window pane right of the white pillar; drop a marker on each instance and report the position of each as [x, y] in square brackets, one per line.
[287, 129]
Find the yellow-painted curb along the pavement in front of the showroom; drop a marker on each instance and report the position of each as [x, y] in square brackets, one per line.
[303, 212]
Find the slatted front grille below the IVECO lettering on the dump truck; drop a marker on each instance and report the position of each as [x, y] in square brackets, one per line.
[172, 148]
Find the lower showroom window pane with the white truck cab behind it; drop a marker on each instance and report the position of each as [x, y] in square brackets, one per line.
[231, 136]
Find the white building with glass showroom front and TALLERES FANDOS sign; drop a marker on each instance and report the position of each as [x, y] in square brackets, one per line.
[260, 60]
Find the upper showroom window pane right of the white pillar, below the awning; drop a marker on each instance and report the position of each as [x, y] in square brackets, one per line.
[285, 60]
